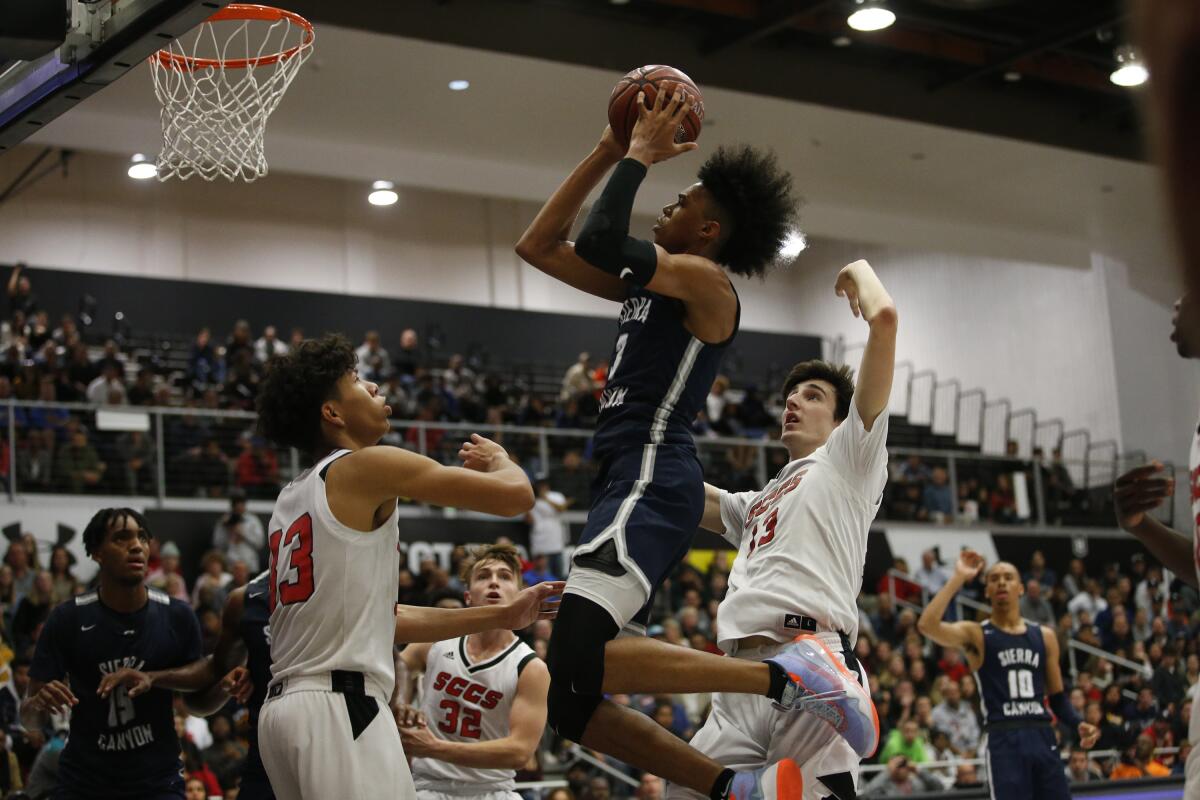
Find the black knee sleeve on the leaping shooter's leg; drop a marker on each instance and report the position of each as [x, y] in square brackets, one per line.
[577, 665]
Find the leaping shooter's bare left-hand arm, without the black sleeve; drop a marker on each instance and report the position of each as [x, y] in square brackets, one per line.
[545, 244]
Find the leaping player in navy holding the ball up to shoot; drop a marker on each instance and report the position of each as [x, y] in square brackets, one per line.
[680, 311]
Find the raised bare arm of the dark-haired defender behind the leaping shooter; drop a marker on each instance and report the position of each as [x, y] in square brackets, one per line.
[868, 299]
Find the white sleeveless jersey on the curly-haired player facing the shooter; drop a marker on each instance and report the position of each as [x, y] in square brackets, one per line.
[333, 590]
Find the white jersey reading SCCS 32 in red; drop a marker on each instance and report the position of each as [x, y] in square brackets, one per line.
[469, 702]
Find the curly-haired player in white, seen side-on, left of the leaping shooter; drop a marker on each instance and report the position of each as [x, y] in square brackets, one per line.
[334, 552]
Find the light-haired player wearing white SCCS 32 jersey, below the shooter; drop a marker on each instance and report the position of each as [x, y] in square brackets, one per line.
[483, 703]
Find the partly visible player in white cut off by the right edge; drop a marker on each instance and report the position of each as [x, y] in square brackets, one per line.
[1144, 490]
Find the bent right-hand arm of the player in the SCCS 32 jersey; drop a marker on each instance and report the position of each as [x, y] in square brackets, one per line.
[527, 721]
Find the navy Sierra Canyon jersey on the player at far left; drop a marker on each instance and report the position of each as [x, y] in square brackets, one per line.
[119, 747]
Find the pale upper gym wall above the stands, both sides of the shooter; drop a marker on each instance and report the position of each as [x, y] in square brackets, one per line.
[1039, 334]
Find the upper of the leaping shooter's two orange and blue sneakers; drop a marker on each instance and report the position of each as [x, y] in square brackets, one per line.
[821, 685]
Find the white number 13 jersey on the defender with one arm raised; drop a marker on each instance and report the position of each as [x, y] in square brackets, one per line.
[802, 540]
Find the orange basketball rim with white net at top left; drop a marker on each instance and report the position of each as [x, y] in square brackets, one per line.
[218, 89]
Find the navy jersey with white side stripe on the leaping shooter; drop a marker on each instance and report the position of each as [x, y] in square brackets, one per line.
[659, 376]
